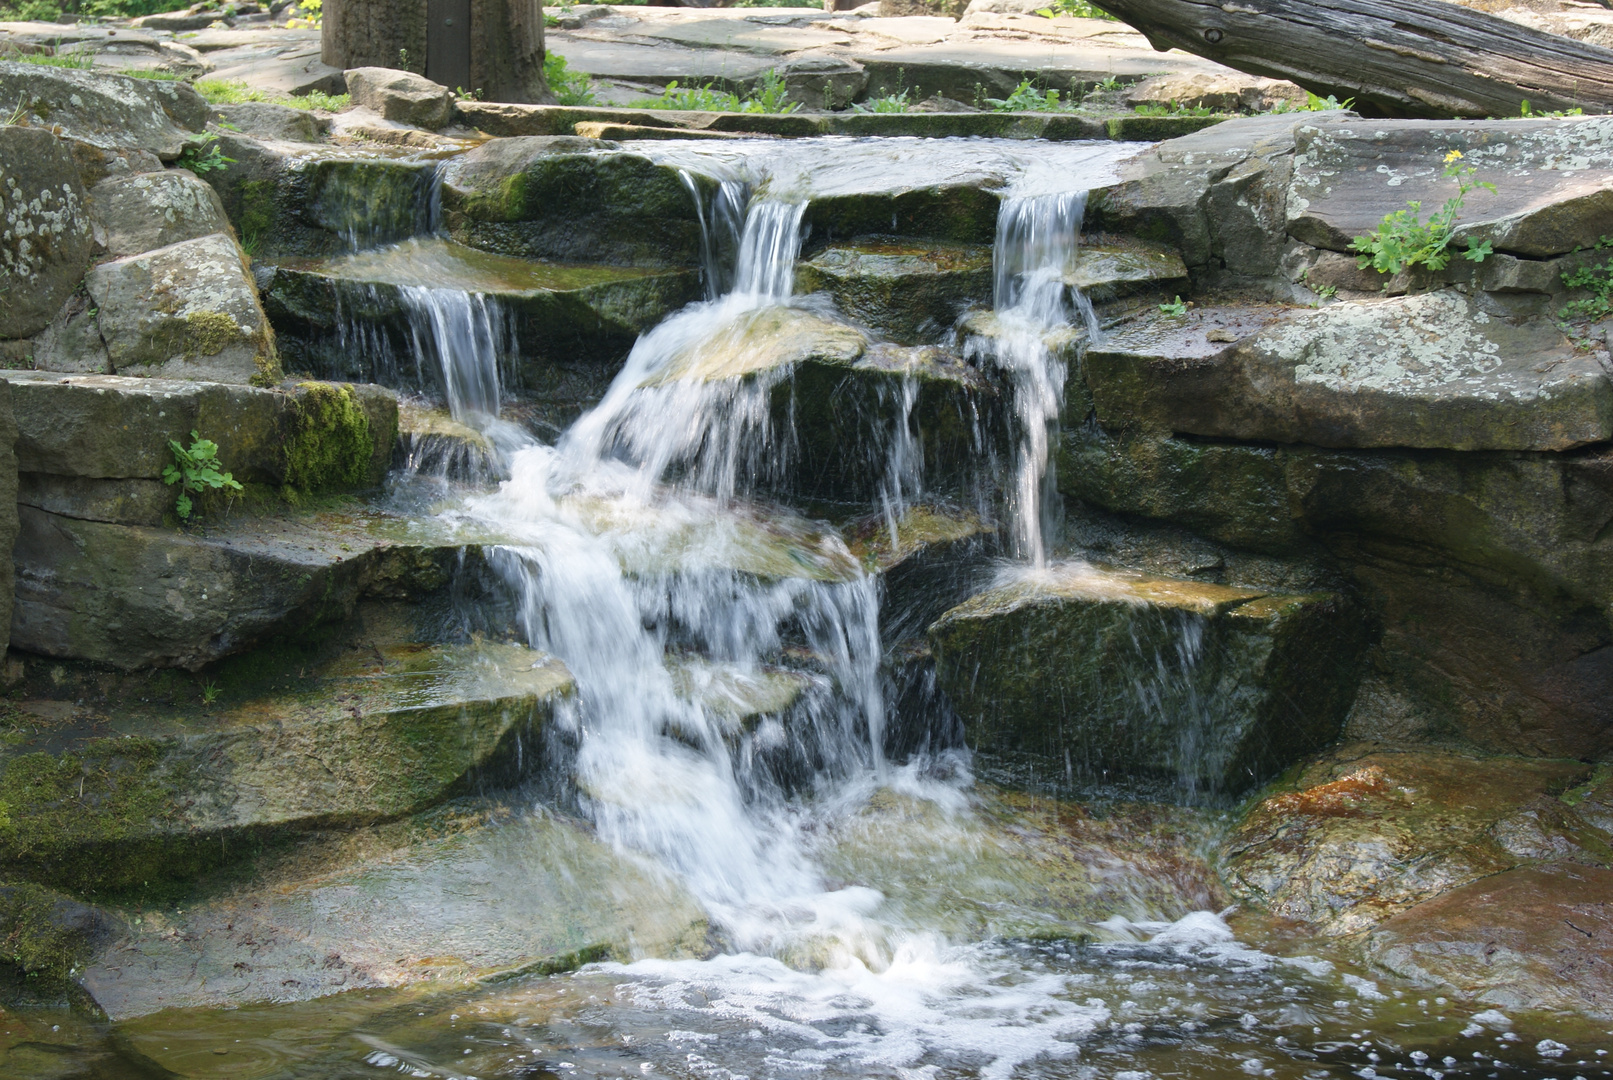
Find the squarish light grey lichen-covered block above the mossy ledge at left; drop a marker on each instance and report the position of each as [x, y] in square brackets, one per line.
[185, 312]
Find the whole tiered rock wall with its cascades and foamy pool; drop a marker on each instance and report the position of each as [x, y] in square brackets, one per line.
[783, 605]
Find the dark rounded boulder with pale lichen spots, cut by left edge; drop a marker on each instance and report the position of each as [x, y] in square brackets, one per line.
[44, 230]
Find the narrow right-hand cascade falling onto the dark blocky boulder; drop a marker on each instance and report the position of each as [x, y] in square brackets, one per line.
[1038, 238]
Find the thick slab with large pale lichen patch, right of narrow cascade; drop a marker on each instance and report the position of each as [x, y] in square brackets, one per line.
[1423, 372]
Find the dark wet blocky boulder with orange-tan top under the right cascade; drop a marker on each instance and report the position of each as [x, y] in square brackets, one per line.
[1075, 673]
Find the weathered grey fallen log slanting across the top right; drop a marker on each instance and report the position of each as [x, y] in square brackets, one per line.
[1415, 59]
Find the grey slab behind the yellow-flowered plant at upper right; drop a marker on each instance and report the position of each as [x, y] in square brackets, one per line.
[1554, 180]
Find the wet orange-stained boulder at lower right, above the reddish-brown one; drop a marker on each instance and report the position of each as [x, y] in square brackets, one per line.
[1362, 836]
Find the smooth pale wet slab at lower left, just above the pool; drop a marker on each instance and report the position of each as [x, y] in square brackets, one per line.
[527, 895]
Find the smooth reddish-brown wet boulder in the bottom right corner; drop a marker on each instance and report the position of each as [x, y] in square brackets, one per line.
[1528, 939]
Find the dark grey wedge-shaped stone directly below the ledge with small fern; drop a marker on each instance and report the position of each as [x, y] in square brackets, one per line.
[136, 597]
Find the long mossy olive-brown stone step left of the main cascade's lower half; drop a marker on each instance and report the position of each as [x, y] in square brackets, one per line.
[122, 794]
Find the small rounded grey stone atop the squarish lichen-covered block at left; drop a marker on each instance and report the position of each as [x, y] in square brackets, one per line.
[152, 210]
